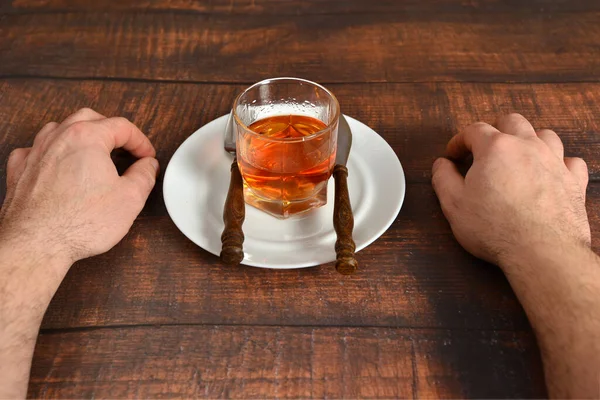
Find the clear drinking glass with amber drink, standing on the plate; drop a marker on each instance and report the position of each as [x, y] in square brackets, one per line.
[286, 144]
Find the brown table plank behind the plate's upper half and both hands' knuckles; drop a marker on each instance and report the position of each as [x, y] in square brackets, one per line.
[417, 120]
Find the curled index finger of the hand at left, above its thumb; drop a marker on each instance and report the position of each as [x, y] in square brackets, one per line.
[119, 132]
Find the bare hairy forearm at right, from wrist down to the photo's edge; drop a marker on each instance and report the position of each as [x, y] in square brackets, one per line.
[559, 288]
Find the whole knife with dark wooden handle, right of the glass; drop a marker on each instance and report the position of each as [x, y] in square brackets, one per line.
[343, 220]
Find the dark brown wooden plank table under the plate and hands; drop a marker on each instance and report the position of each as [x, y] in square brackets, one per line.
[159, 317]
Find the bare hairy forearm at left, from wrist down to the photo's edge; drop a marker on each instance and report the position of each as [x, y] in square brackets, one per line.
[28, 280]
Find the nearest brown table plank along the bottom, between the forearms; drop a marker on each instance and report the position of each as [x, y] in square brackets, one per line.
[284, 362]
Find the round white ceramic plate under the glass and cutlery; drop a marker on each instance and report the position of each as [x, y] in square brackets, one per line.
[197, 179]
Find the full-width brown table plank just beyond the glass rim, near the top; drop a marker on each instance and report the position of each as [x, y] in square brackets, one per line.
[430, 46]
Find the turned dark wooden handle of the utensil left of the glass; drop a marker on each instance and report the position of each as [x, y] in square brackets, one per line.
[234, 212]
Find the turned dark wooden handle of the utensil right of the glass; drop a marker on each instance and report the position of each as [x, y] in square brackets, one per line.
[343, 222]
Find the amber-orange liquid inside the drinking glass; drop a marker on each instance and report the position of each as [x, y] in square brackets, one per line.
[278, 165]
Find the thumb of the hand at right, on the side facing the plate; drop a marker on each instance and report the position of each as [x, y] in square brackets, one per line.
[447, 183]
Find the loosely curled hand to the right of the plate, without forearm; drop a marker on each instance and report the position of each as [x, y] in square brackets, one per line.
[520, 193]
